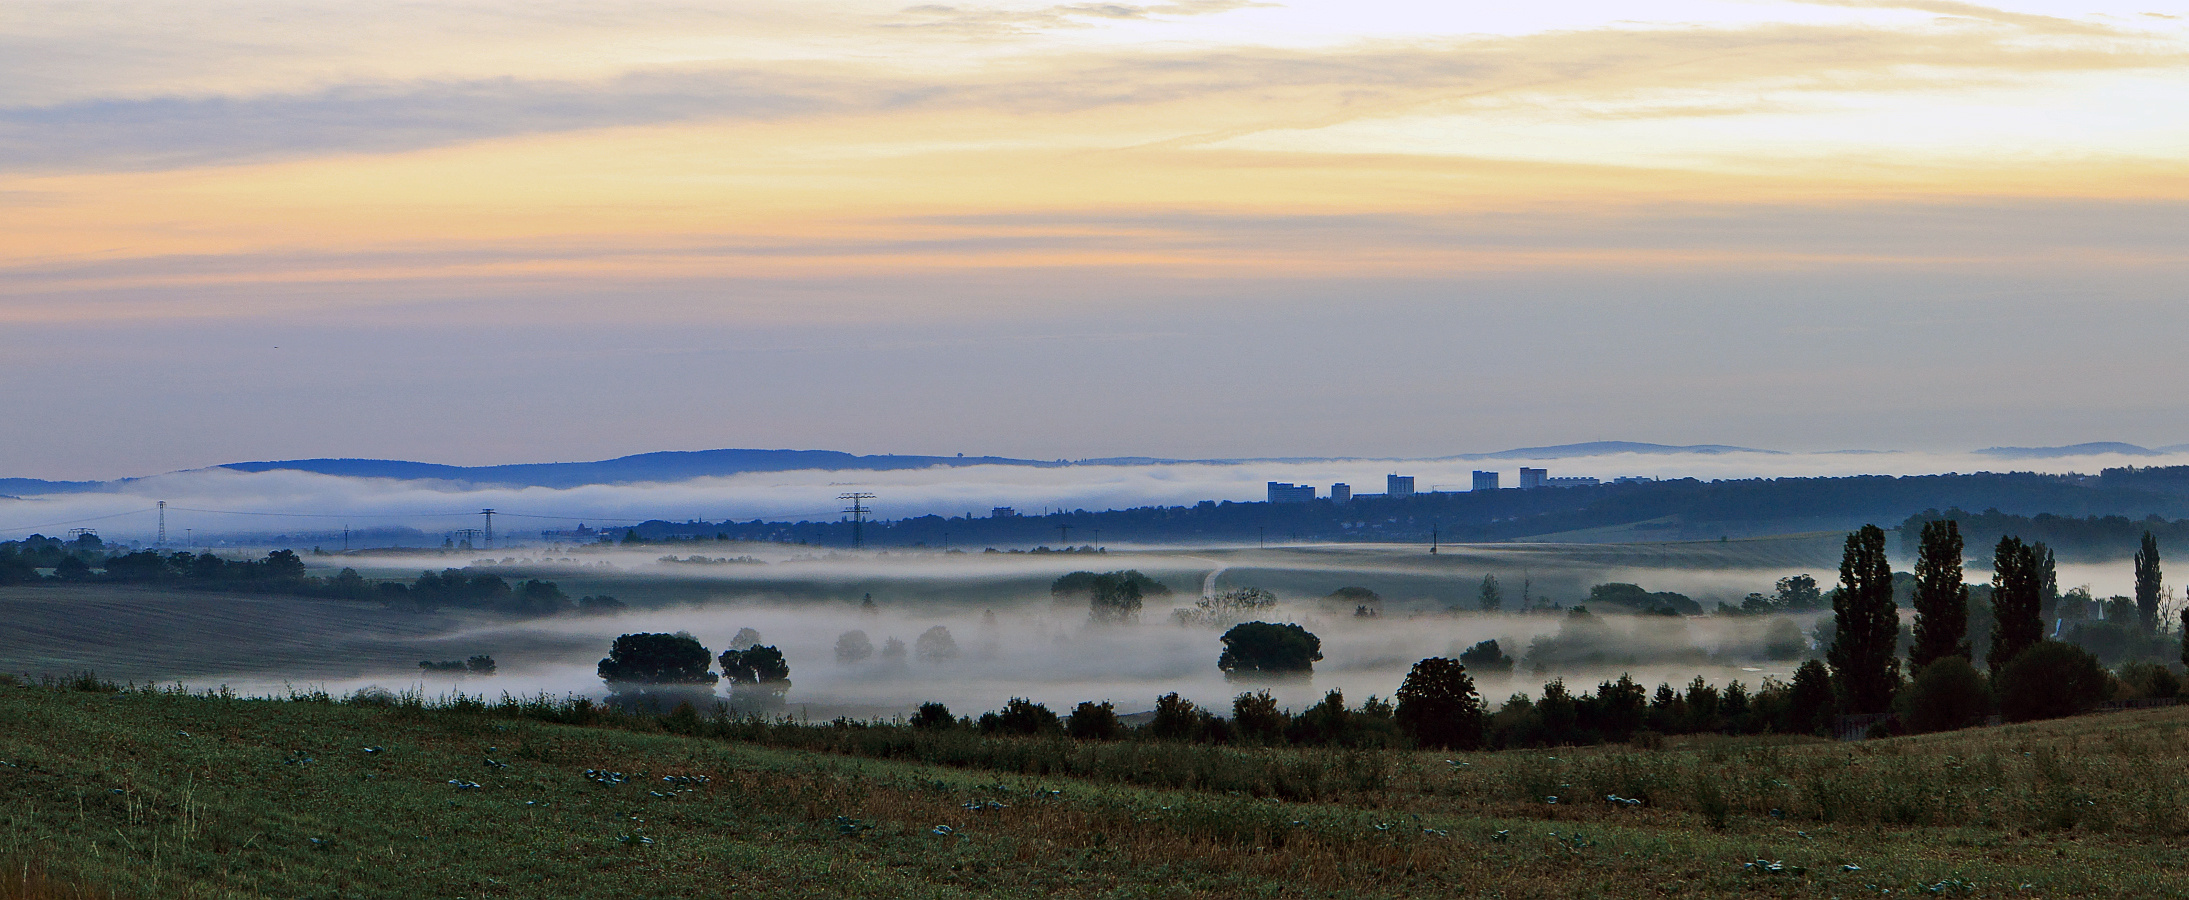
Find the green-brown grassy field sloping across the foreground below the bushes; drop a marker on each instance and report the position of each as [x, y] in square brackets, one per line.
[172, 796]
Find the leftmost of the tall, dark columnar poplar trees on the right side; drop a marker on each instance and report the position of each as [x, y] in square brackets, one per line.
[1866, 625]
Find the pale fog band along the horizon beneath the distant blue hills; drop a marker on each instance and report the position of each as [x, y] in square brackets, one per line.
[283, 503]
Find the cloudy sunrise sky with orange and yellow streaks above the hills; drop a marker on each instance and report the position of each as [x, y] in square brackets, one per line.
[1205, 229]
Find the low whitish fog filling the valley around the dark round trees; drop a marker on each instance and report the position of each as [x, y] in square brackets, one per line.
[1010, 638]
